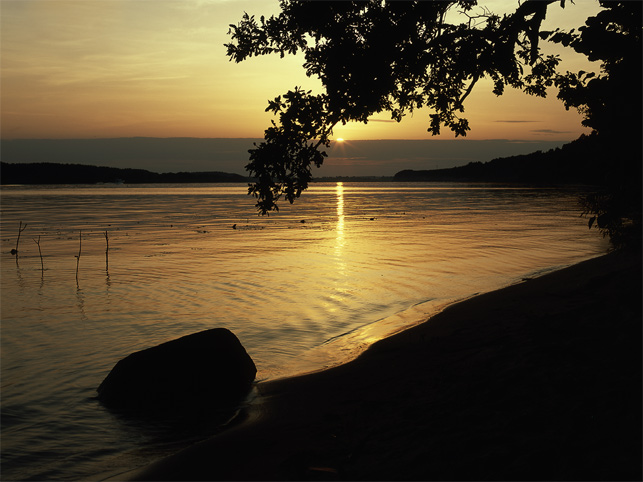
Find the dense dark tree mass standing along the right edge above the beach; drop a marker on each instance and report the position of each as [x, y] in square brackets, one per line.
[611, 105]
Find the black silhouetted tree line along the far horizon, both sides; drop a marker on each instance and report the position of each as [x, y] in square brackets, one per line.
[582, 161]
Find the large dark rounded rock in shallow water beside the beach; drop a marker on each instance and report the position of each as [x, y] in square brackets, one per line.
[206, 369]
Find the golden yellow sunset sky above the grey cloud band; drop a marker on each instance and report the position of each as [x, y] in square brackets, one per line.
[125, 68]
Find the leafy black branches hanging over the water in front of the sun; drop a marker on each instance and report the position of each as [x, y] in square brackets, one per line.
[374, 56]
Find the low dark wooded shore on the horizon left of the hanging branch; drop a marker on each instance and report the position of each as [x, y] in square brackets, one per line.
[53, 173]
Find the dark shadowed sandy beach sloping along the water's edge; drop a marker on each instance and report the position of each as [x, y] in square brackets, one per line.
[537, 381]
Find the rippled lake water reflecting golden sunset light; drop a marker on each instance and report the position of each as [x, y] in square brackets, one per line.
[303, 289]
